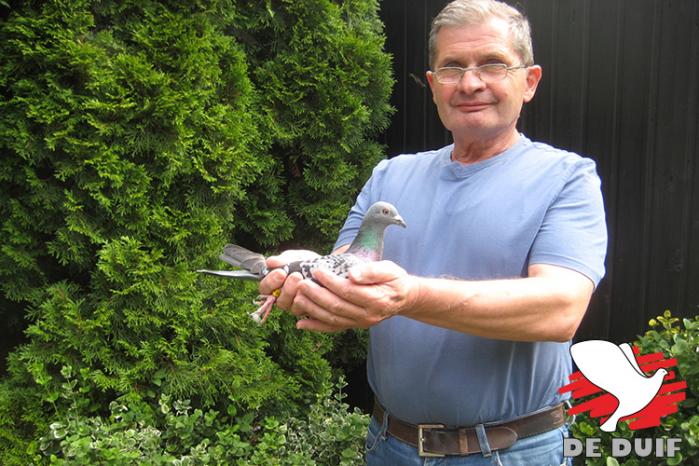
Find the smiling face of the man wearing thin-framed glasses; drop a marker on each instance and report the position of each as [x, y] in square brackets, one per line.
[472, 109]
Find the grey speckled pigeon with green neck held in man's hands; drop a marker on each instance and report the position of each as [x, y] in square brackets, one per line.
[367, 246]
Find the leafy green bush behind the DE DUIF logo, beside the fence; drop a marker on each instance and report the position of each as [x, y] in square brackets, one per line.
[678, 340]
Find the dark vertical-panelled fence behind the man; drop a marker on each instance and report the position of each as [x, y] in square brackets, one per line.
[621, 85]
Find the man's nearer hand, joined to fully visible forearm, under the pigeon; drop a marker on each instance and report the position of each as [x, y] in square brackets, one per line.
[373, 292]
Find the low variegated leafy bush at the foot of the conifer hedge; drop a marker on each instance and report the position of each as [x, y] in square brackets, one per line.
[179, 434]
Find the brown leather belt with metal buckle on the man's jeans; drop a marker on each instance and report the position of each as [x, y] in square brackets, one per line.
[439, 440]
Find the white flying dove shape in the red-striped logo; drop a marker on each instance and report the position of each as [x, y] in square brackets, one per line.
[615, 369]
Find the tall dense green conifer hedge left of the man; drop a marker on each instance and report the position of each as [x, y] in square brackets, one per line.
[136, 138]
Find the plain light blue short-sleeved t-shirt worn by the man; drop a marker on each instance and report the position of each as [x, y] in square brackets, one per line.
[532, 204]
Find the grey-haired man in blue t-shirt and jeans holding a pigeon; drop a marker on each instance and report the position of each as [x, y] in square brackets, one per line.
[472, 312]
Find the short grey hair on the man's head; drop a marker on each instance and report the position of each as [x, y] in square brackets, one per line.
[461, 13]
